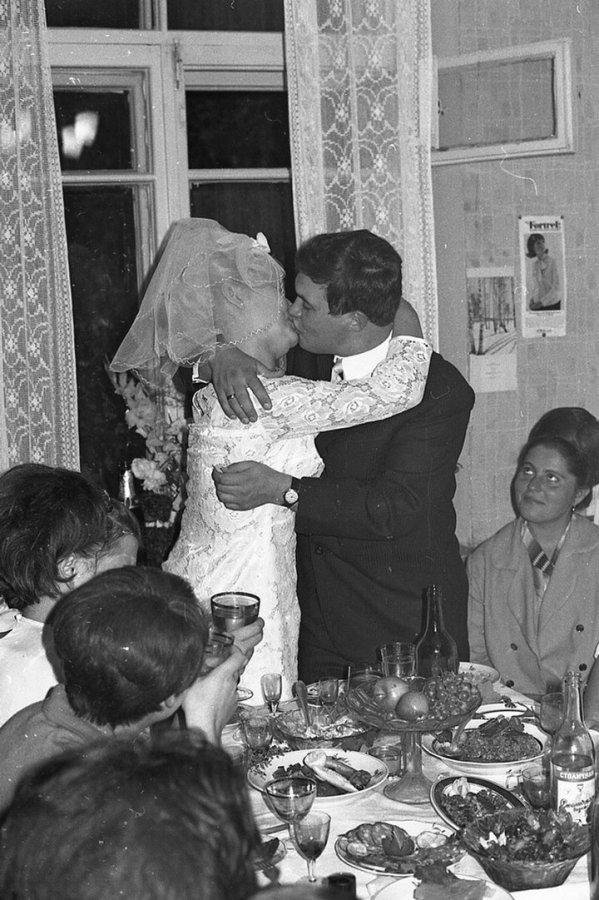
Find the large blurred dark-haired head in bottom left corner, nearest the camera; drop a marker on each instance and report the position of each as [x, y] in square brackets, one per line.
[171, 821]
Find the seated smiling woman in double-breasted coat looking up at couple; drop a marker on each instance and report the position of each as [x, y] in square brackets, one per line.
[533, 608]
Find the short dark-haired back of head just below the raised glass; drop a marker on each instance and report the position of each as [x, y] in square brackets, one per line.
[127, 640]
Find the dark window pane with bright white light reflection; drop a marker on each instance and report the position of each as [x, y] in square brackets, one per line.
[94, 129]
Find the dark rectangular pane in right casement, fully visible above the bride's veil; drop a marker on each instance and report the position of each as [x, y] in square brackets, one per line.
[237, 129]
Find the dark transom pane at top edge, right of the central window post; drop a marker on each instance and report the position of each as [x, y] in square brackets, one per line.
[223, 15]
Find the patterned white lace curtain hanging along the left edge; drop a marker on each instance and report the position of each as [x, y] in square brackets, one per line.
[38, 399]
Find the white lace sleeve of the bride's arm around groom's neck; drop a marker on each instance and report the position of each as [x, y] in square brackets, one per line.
[301, 407]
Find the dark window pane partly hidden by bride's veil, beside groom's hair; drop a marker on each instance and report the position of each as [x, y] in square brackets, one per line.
[250, 208]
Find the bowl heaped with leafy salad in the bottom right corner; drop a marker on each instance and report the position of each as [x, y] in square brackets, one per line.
[525, 849]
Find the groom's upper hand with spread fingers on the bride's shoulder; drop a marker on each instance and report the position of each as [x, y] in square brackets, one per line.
[234, 374]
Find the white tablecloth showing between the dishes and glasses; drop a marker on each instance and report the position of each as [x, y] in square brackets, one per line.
[374, 806]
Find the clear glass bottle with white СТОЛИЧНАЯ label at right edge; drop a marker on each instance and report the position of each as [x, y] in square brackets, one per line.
[572, 758]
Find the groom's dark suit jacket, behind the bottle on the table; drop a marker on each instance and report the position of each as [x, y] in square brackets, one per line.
[379, 526]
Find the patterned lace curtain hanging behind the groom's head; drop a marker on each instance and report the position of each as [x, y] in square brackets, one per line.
[360, 77]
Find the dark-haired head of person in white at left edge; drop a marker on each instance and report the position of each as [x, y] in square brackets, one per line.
[48, 515]
